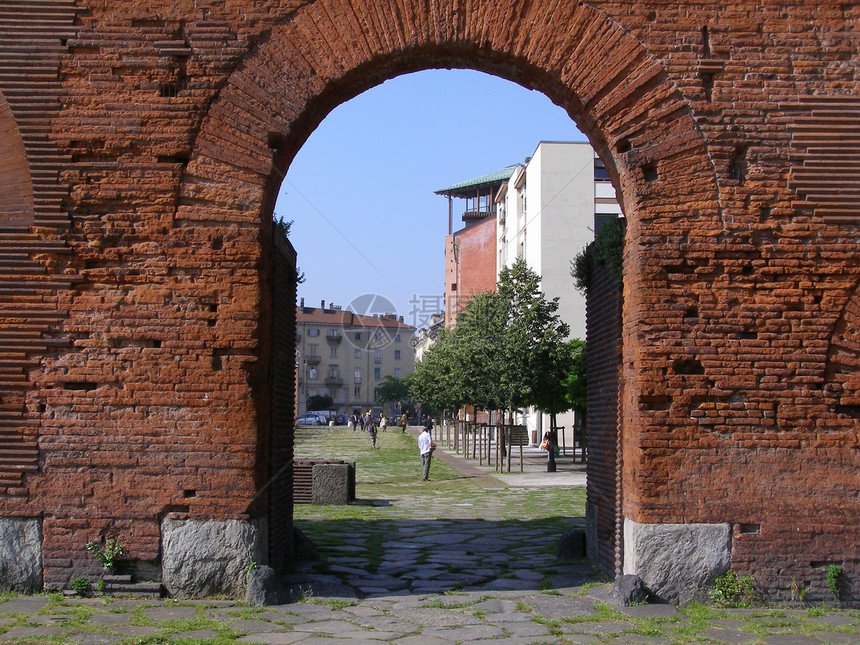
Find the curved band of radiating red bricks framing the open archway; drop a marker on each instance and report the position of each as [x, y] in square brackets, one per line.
[621, 98]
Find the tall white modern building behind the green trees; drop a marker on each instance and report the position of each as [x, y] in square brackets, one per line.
[547, 212]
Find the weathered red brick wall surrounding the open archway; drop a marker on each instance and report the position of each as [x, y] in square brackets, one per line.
[163, 129]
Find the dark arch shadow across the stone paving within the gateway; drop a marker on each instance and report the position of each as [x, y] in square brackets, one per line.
[365, 558]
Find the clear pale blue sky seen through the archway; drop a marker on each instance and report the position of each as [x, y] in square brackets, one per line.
[361, 189]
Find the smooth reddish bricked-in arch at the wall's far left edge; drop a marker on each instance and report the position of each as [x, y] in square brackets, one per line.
[16, 188]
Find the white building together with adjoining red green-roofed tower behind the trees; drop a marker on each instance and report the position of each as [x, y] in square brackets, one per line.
[545, 210]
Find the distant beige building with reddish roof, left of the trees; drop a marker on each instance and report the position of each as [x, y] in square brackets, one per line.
[346, 355]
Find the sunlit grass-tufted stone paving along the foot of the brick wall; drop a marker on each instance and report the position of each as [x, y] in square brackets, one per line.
[494, 617]
